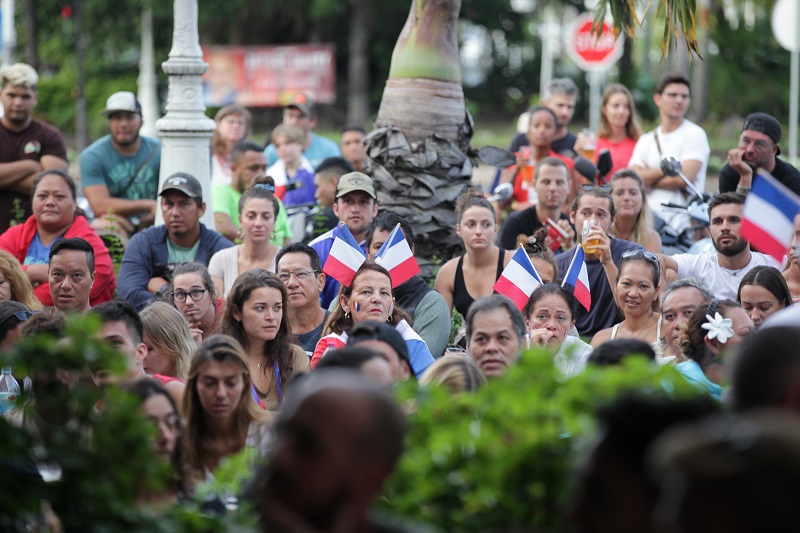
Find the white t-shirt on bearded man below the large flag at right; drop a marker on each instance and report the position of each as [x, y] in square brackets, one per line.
[722, 283]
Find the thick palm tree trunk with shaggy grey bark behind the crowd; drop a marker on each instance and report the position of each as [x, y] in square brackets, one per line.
[417, 154]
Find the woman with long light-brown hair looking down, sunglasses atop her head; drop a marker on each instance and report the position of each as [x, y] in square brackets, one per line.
[221, 419]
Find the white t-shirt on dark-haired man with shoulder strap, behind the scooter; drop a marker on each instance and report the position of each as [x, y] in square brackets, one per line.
[687, 143]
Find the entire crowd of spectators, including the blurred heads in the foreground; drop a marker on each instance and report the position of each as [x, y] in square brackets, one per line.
[235, 330]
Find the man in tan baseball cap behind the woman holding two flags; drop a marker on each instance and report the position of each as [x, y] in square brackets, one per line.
[356, 205]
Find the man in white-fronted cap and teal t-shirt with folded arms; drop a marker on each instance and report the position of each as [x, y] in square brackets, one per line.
[119, 172]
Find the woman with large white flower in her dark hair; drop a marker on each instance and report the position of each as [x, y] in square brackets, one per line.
[712, 331]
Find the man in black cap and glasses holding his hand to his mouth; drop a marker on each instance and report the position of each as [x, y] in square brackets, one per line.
[759, 147]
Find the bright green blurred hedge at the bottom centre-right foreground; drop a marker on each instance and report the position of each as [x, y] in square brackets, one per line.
[502, 457]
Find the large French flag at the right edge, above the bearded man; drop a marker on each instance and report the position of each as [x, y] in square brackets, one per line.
[768, 216]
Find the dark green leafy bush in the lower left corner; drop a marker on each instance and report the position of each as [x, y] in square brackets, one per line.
[105, 455]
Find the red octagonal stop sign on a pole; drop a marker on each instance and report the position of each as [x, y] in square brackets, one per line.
[592, 52]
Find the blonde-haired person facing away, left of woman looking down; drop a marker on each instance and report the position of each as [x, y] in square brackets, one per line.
[169, 343]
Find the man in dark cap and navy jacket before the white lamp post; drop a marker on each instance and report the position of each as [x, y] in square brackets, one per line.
[147, 265]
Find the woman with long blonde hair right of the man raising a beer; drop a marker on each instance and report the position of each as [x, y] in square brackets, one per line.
[634, 221]
